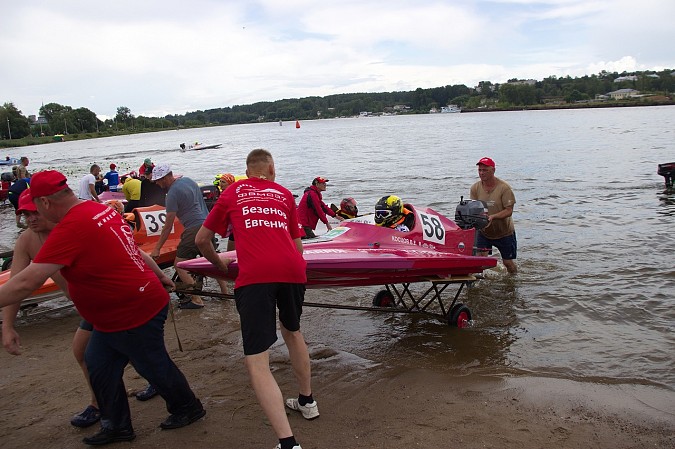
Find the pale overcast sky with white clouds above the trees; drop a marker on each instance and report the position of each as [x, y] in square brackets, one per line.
[171, 57]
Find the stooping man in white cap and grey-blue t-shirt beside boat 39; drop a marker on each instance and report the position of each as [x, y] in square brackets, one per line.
[184, 200]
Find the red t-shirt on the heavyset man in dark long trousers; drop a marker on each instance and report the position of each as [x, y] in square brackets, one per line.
[108, 280]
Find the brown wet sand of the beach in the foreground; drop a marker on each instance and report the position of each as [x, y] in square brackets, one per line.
[363, 403]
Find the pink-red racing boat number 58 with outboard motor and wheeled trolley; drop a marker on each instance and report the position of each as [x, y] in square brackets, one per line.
[358, 253]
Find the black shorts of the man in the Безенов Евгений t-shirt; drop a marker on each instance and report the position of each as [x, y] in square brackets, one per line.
[257, 304]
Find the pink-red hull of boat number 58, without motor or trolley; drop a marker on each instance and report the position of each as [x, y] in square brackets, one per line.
[358, 253]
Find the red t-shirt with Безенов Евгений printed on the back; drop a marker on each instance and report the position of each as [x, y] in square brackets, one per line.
[265, 223]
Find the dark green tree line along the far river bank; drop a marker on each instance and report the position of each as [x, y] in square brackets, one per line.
[60, 119]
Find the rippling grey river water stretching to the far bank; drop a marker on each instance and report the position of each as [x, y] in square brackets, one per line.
[593, 300]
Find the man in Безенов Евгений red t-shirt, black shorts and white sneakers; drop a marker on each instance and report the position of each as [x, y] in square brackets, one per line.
[272, 273]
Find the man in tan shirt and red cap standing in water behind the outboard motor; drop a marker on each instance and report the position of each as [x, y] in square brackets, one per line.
[499, 198]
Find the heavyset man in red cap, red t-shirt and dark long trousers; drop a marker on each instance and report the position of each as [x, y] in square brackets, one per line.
[125, 301]
